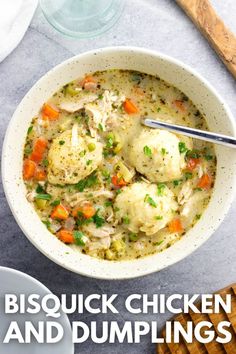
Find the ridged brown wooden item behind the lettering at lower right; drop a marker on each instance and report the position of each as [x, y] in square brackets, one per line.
[209, 348]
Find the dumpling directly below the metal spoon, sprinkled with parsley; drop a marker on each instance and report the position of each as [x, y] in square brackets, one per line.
[155, 154]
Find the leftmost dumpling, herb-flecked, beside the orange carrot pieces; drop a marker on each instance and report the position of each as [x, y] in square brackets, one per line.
[71, 157]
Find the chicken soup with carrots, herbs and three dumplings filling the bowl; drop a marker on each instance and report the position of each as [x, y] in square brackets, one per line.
[104, 184]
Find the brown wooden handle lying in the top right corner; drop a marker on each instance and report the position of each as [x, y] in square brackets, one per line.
[213, 28]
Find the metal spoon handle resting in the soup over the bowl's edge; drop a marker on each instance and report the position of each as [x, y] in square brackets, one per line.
[193, 133]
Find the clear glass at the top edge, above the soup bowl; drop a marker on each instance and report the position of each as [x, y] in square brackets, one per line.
[82, 18]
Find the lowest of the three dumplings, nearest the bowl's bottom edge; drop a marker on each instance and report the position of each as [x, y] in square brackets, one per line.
[145, 207]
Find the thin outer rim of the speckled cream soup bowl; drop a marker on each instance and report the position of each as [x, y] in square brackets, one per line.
[138, 272]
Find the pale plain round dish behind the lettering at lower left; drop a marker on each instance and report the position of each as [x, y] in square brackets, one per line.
[14, 282]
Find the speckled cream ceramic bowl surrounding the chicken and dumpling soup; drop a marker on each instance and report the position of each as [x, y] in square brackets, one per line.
[219, 119]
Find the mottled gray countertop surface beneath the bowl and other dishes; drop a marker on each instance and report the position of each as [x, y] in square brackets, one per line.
[155, 24]
